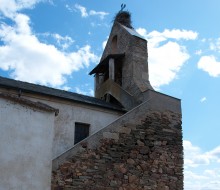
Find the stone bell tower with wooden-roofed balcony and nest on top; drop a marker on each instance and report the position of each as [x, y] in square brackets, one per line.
[122, 76]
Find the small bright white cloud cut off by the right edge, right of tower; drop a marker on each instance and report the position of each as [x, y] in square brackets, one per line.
[210, 65]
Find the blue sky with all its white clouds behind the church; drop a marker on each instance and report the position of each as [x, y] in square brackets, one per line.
[56, 43]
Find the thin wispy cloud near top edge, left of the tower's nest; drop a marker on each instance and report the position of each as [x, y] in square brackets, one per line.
[85, 13]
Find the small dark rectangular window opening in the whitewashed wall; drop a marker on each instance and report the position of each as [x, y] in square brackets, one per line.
[81, 132]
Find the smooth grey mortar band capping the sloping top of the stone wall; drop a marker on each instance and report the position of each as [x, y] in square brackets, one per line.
[156, 101]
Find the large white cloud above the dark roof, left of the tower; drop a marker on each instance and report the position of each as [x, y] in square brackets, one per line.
[30, 60]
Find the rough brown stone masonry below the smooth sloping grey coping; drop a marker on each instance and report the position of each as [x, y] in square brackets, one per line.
[146, 155]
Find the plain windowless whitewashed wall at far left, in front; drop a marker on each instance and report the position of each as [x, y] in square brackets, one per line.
[26, 137]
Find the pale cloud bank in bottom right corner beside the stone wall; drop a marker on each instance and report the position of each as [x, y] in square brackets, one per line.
[201, 169]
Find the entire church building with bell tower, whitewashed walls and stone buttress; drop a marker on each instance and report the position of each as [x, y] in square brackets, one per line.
[128, 136]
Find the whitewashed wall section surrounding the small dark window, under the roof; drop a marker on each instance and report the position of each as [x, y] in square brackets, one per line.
[69, 113]
